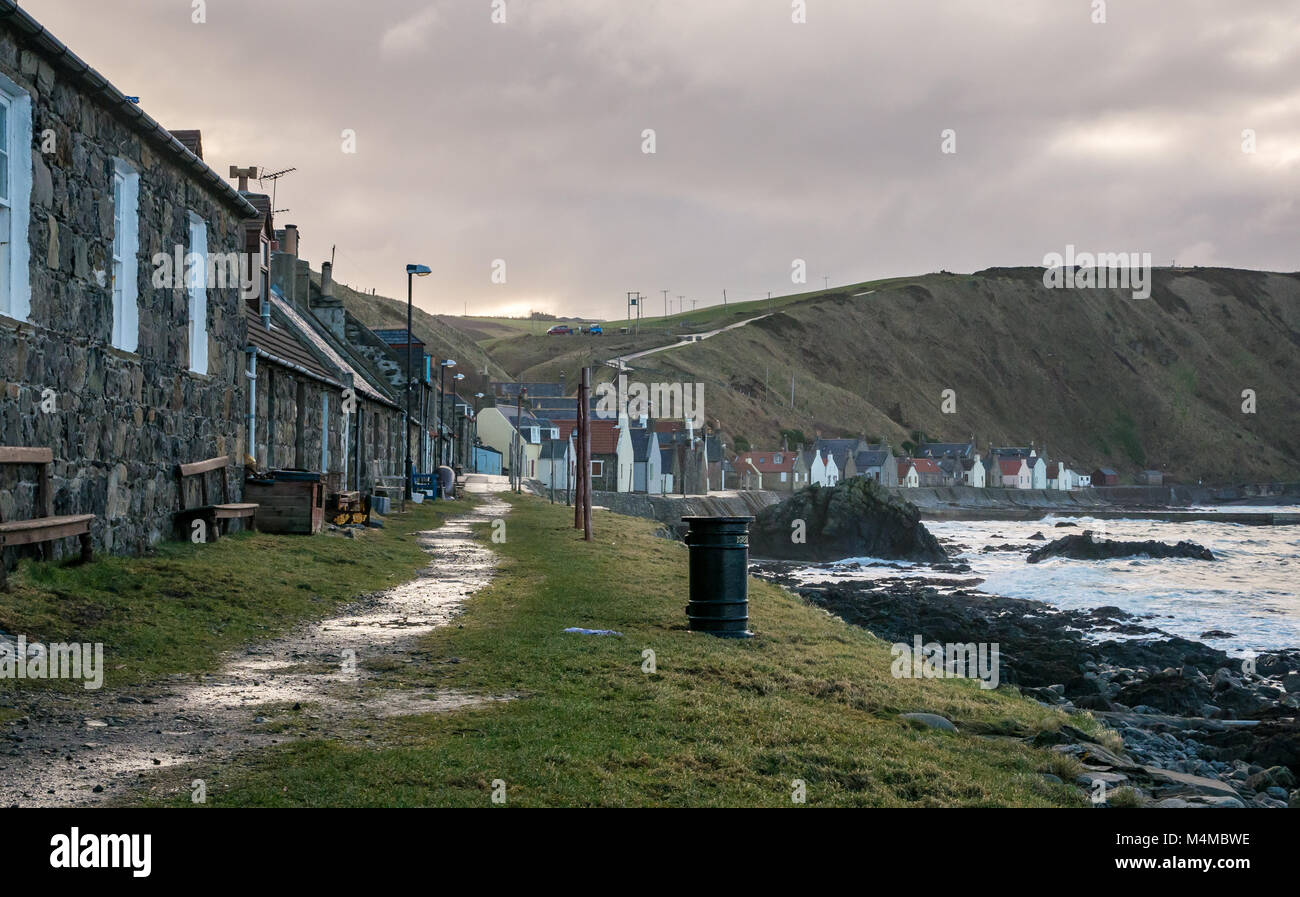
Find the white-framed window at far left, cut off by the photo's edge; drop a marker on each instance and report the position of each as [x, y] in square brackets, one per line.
[15, 200]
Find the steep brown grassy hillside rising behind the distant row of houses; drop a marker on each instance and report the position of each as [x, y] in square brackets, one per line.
[1097, 376]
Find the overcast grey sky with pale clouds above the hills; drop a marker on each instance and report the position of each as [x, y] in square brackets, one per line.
[774, 141]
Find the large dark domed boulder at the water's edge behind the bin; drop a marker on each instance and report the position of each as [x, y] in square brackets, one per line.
[853, 519]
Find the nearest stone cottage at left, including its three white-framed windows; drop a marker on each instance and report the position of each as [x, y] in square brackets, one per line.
[122, 332]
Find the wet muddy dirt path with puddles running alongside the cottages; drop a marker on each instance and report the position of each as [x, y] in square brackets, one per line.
[83, 749]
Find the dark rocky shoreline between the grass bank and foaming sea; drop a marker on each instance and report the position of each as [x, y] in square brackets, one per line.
[1199, 729]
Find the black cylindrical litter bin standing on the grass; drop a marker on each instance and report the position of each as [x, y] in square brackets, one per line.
[720, 570]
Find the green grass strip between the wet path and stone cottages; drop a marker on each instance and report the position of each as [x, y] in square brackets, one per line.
[180, 609]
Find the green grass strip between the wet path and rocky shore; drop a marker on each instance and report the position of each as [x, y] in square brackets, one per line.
[721, 722]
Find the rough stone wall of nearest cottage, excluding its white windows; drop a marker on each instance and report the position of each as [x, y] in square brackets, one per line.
[119, 422]
